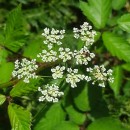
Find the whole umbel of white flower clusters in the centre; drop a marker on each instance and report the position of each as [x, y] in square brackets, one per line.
[53, 39]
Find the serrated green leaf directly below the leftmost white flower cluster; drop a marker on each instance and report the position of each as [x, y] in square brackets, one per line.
[22, 88]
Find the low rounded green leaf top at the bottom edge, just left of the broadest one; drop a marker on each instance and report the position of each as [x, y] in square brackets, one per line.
[66, 125]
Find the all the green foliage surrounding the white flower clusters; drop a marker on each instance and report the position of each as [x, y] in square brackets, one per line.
[87, 106]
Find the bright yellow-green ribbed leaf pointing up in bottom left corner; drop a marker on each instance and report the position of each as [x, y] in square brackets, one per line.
[20, 118]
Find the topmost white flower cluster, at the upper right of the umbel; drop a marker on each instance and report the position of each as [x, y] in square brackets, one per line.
[86, 34]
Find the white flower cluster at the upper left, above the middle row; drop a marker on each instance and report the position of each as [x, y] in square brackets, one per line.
[53, 36]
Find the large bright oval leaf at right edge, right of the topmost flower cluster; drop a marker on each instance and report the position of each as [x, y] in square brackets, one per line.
[117, 46]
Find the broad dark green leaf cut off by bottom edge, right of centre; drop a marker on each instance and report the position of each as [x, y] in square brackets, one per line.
[106, 123]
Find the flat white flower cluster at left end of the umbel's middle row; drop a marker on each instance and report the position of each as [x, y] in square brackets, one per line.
[46, 56]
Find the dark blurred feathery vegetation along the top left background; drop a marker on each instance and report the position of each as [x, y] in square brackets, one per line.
[41, 13]
